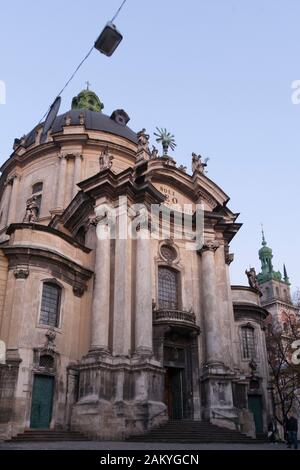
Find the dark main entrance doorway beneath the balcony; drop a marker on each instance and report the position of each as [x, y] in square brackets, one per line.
[173, 393]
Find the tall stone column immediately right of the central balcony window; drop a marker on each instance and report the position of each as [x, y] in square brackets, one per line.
[211, 312]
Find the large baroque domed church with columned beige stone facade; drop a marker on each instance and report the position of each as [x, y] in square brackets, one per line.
[113, 336]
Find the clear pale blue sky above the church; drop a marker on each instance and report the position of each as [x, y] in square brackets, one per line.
[218, 74]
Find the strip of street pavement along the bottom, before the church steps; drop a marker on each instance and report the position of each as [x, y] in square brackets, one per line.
[104, 446]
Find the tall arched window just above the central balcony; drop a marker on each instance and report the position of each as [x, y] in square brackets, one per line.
[167, 288]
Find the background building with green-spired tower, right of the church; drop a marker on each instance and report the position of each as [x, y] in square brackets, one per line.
[282, 328]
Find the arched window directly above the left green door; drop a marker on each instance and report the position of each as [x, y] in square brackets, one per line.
[50, 307]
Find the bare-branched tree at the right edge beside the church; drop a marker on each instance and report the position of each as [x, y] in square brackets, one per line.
[285, 372]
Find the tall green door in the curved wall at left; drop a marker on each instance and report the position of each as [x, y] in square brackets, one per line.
[42, 401]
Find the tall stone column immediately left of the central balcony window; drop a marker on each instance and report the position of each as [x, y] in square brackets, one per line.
[143, 294]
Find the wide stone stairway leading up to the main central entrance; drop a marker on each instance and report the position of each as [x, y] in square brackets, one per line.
[187, 431]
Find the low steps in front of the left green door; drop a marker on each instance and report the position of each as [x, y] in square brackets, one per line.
[48, 435]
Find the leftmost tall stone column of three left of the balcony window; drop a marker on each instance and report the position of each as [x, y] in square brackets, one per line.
[101, 293]
